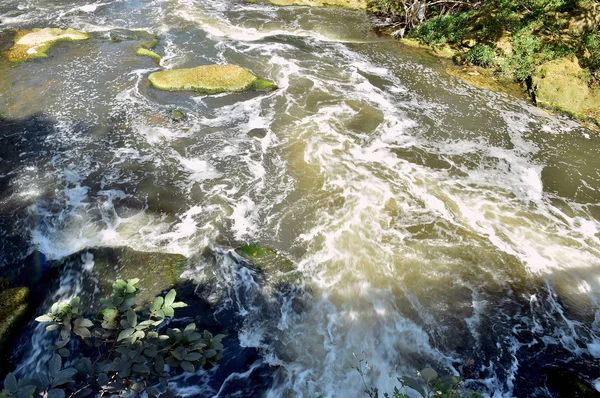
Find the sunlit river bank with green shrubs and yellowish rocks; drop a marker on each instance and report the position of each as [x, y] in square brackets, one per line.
[518, 39]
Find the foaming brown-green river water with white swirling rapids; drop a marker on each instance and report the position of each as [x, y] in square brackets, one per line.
[434, 223]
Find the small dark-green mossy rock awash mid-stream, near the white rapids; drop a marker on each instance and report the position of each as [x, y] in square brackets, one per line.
[274, 267]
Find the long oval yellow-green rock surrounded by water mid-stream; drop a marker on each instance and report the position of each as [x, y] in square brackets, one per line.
[209, 79]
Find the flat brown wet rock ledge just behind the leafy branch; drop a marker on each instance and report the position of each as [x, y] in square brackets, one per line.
[156, 271]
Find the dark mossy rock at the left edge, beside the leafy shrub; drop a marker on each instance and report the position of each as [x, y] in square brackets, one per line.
[14, 304]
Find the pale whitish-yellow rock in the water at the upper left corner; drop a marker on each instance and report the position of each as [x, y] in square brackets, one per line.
[30, 44]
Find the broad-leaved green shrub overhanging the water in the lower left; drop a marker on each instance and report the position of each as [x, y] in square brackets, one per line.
[134, 356]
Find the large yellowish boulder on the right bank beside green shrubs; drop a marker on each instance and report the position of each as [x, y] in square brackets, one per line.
[560, 84]
